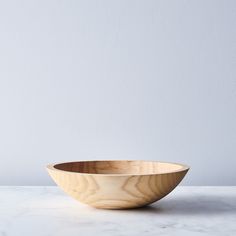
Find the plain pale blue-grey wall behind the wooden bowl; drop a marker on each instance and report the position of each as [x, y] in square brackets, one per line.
[118, 79]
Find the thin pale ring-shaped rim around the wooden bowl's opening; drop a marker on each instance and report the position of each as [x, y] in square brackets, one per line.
[183, 167]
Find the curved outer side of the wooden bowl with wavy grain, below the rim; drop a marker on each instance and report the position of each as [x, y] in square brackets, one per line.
[116, 191]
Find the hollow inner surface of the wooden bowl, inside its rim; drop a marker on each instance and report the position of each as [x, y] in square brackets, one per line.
[120, 167]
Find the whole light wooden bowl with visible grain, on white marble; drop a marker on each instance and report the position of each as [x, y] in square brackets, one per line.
[117, 184]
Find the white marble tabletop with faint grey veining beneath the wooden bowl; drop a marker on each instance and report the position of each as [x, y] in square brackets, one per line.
[48, 211]
